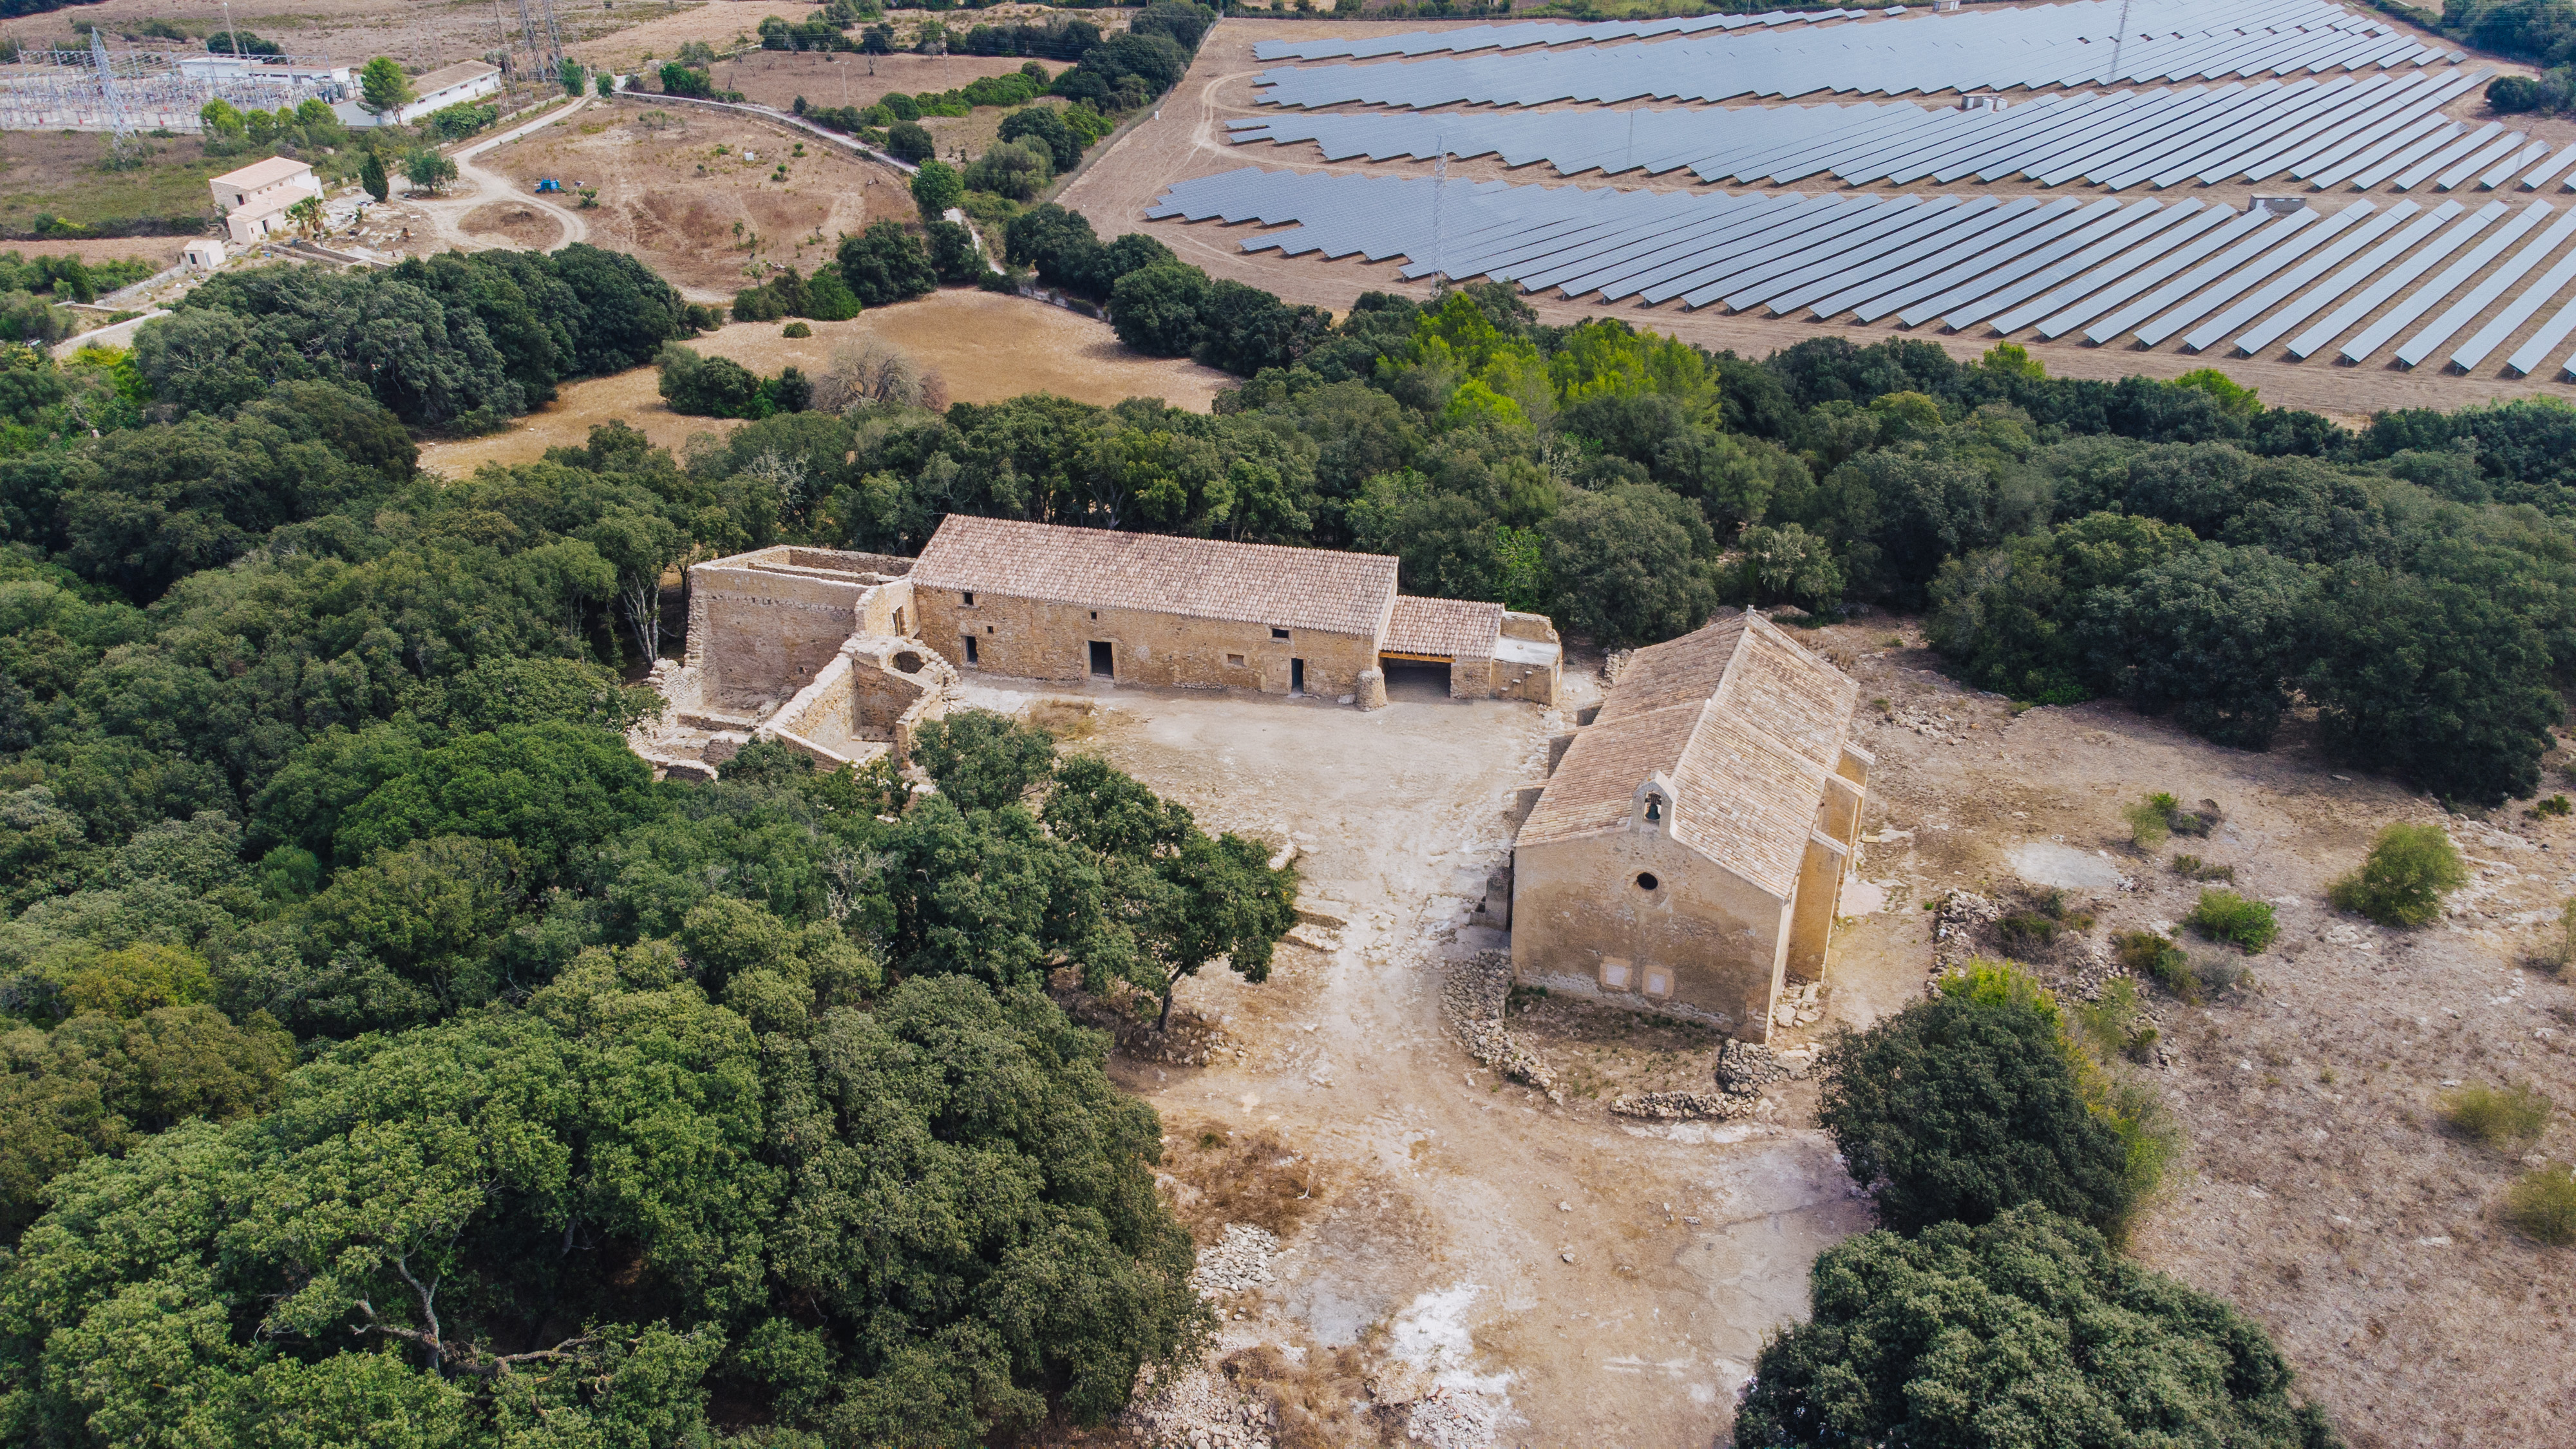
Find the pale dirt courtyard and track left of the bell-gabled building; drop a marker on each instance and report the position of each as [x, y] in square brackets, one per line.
[1565, 1278]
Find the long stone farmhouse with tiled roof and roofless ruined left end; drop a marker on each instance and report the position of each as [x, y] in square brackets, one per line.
[844, 656]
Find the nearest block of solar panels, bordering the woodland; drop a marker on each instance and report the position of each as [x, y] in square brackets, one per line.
[2348, 277]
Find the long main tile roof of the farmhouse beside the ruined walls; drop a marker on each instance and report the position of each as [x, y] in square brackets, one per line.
[1199, 579]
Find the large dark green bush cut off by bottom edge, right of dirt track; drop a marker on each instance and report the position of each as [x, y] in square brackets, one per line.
[2023, 1332]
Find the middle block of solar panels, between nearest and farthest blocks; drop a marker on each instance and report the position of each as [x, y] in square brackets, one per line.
[2327, 133]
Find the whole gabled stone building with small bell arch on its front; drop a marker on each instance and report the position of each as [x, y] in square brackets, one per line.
[1689, 850]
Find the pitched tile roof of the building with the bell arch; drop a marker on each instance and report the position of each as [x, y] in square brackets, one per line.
[1740, 718]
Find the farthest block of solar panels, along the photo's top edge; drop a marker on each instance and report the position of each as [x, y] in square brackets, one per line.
[1995, 50]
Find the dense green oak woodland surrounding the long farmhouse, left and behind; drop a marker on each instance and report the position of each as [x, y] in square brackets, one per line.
[388, 1048]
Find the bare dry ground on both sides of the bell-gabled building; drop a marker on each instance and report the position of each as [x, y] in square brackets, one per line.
[2317, 1187]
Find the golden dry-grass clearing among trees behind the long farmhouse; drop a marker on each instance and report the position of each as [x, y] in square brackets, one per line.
[983, 344]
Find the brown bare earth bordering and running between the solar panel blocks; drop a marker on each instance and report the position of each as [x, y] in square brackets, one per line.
[1189, 141]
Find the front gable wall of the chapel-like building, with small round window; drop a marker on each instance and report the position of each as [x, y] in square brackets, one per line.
[1578, 906]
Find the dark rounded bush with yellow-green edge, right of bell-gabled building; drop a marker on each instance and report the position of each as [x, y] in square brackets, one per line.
[1977, 1102]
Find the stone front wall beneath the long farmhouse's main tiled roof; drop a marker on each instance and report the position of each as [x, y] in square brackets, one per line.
[1052, 641]
